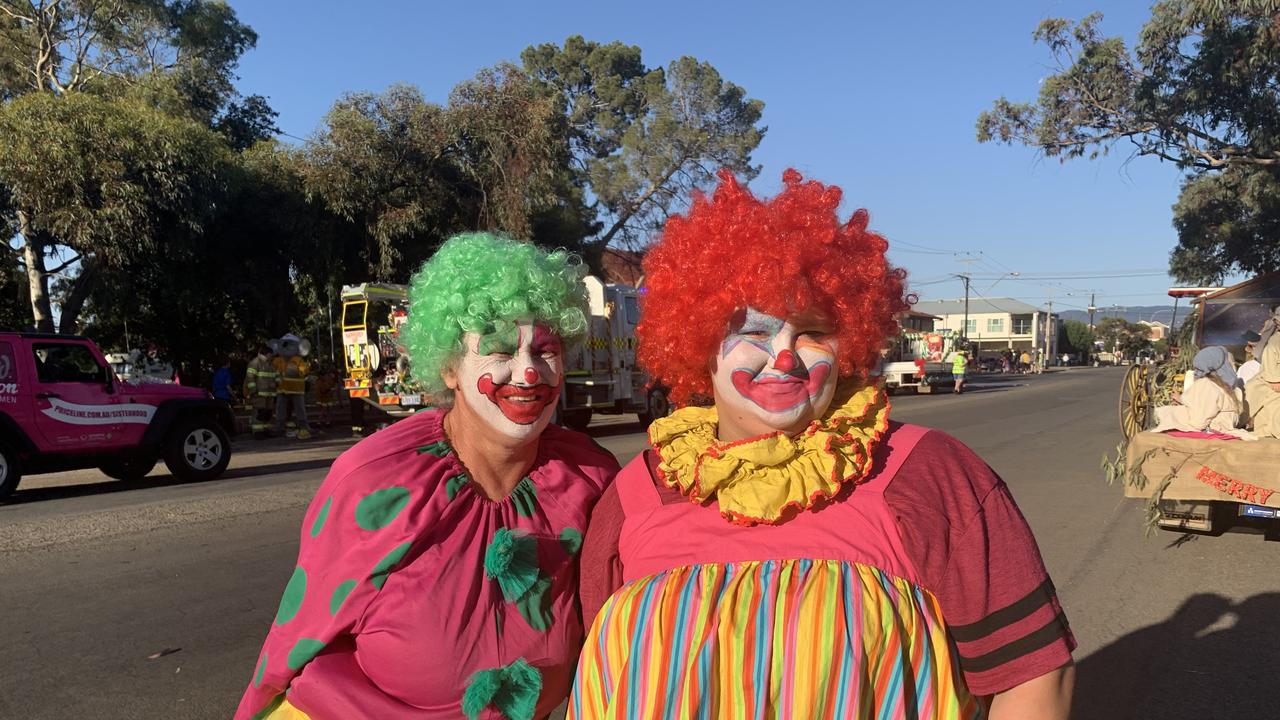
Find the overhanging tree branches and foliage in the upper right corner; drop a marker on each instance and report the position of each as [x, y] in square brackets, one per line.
[1200, 90]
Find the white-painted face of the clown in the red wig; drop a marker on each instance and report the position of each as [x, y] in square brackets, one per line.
[774, 375]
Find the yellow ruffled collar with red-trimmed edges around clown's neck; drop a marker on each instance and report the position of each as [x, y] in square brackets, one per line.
[760, 480]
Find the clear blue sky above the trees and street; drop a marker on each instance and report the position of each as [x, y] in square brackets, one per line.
[877, 98]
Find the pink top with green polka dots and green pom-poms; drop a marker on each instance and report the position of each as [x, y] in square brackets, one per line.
[418, 598]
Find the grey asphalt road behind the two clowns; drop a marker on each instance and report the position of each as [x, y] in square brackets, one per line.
[152, 599]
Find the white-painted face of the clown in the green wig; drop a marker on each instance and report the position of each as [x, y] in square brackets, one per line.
[511, 379]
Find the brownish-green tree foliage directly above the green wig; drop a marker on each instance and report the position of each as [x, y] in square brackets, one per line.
[413, 174]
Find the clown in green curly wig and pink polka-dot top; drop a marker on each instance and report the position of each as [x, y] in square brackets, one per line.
[437, 575]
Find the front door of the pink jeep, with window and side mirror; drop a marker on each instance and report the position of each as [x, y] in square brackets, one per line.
[74, 411]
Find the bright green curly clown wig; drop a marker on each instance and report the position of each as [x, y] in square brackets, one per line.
[478, 282]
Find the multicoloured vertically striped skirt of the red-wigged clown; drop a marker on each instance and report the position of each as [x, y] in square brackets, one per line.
[787, 640]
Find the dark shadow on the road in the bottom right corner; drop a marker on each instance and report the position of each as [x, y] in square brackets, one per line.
[1212, 659]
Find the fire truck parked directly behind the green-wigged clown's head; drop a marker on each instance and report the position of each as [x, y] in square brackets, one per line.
[601, 376]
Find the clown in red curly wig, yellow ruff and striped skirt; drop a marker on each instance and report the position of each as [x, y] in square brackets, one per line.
[790, 552]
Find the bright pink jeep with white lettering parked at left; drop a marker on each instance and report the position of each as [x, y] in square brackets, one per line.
[62, 408]
